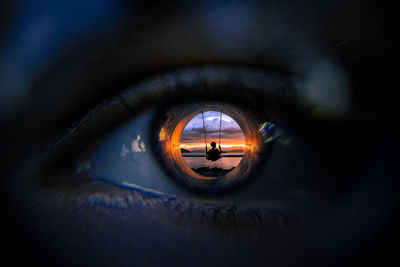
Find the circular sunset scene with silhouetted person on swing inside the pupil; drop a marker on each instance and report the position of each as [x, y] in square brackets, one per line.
[212, 144]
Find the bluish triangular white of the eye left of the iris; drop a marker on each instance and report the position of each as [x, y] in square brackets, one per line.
[124, 157]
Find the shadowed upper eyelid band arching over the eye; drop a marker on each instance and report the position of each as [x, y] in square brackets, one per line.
[249, 84]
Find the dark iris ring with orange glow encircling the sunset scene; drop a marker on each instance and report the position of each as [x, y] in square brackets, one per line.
[169, 147]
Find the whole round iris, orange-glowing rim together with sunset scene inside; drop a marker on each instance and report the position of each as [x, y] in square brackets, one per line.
[171, 139]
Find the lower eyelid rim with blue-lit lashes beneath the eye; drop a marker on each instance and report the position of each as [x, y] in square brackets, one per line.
[275, 219]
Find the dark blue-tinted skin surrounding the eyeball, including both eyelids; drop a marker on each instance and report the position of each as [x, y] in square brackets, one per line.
[324, 71]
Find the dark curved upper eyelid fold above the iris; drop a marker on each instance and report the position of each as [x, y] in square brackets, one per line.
[206, 80]
